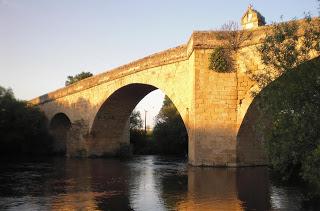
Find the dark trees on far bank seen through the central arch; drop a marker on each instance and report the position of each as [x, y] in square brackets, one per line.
[169, 135]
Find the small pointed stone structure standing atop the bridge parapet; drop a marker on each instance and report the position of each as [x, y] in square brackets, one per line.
[252, 19]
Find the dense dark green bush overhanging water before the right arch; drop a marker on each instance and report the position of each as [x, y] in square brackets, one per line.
[292, 105]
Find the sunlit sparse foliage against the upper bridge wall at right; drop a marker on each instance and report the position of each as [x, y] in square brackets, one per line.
[287, 45]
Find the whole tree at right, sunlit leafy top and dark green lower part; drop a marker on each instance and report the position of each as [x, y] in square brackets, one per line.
[290, 105]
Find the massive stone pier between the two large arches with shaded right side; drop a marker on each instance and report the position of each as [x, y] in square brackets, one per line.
[220, 104]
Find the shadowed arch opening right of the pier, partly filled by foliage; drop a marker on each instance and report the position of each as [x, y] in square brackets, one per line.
[277, 114]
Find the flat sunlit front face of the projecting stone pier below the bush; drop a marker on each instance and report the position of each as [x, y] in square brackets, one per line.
[215, 108]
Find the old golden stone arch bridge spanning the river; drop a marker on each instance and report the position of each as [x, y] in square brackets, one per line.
[91, 117]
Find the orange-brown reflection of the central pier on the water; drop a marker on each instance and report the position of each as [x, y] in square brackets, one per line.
[211, 188]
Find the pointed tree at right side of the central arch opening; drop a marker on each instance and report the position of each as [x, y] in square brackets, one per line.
[169, 131]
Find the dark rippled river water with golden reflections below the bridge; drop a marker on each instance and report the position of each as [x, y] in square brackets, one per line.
[143, 183]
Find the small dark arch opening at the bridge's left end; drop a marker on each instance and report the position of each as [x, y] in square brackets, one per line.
[59, 127]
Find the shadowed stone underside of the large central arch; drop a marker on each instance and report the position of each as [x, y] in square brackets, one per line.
[110, 127]
